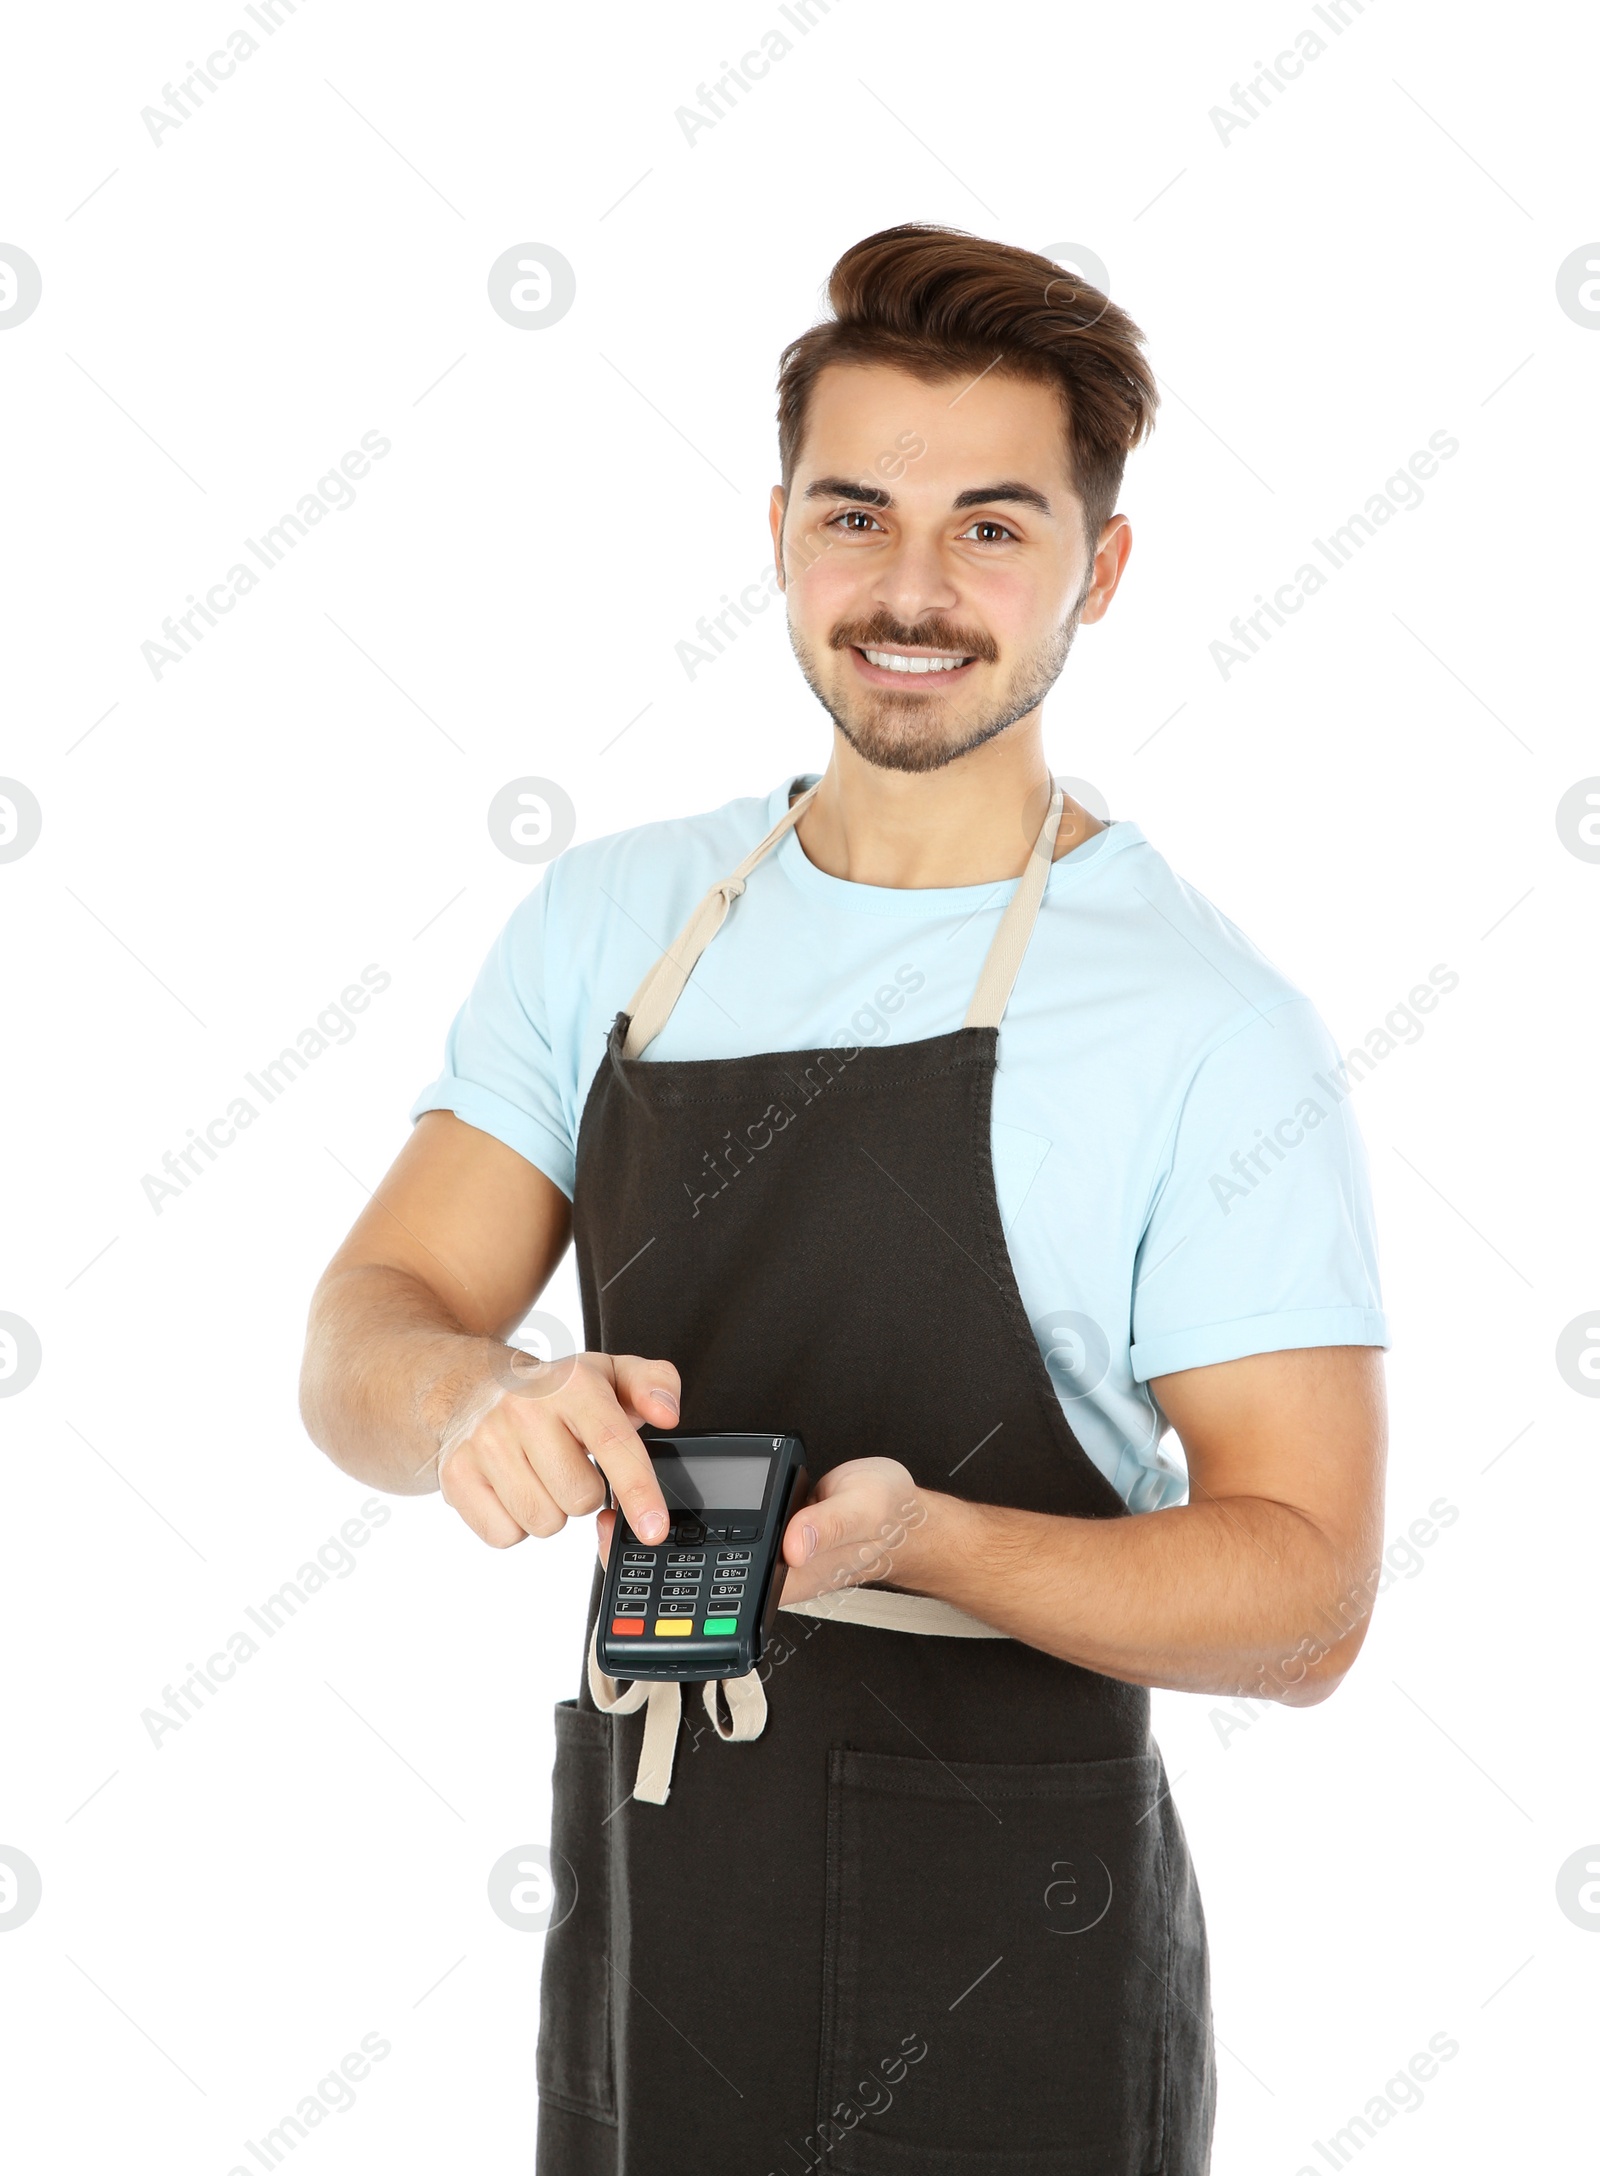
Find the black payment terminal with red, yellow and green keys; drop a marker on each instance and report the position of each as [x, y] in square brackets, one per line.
[702, 1603]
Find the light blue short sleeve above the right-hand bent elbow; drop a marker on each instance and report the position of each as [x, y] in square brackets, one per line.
[1261, 1235]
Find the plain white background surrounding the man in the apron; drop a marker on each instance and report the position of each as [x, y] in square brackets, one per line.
[223, 850]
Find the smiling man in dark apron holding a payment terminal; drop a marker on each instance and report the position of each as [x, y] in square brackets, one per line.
[920, 1113]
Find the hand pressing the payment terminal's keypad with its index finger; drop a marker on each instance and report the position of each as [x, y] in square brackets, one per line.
[532, 1452]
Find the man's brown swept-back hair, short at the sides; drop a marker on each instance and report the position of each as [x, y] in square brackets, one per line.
[941, 304]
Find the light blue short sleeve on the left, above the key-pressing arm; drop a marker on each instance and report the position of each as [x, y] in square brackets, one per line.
[500, 1065]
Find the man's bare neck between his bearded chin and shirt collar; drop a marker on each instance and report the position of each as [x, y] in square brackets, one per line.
[972, 821]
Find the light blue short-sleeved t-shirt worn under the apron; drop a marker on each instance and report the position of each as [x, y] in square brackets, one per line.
[1179, 1174]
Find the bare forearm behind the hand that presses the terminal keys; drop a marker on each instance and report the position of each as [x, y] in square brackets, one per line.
[386, 1374]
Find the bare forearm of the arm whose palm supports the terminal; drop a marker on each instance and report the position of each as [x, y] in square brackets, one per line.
[1209, 1598]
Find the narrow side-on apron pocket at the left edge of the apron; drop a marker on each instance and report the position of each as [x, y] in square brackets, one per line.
[576, 1986]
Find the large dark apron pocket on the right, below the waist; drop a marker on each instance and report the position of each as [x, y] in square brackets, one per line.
[996, 1968]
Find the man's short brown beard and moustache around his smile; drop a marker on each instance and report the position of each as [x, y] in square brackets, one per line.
[920, 730]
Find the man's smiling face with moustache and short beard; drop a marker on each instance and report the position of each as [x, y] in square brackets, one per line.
[935, 558]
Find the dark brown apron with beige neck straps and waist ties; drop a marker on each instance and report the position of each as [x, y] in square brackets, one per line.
[939, 1916]
